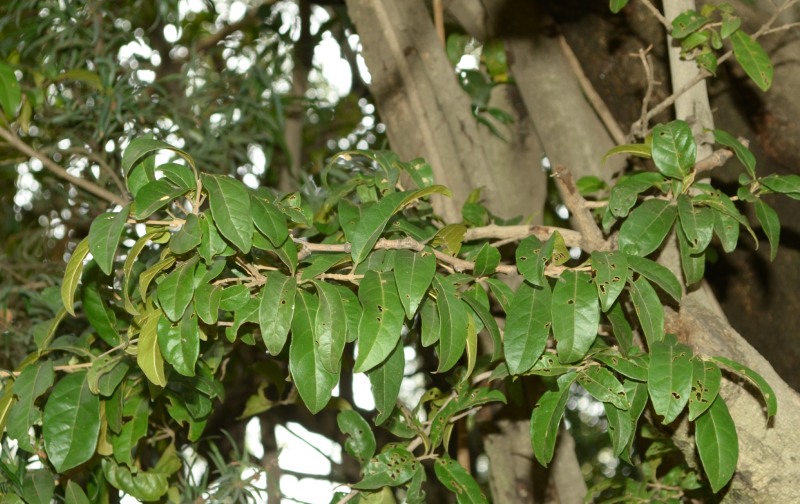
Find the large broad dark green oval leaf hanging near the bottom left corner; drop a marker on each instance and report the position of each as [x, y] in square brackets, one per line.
[71, 422]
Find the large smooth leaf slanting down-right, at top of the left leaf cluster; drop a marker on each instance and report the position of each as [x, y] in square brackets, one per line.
[230, 208]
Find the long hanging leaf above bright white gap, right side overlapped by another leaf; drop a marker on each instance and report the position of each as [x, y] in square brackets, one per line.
[314, 383]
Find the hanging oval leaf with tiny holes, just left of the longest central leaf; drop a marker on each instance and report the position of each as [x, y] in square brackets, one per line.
[277, 310]
